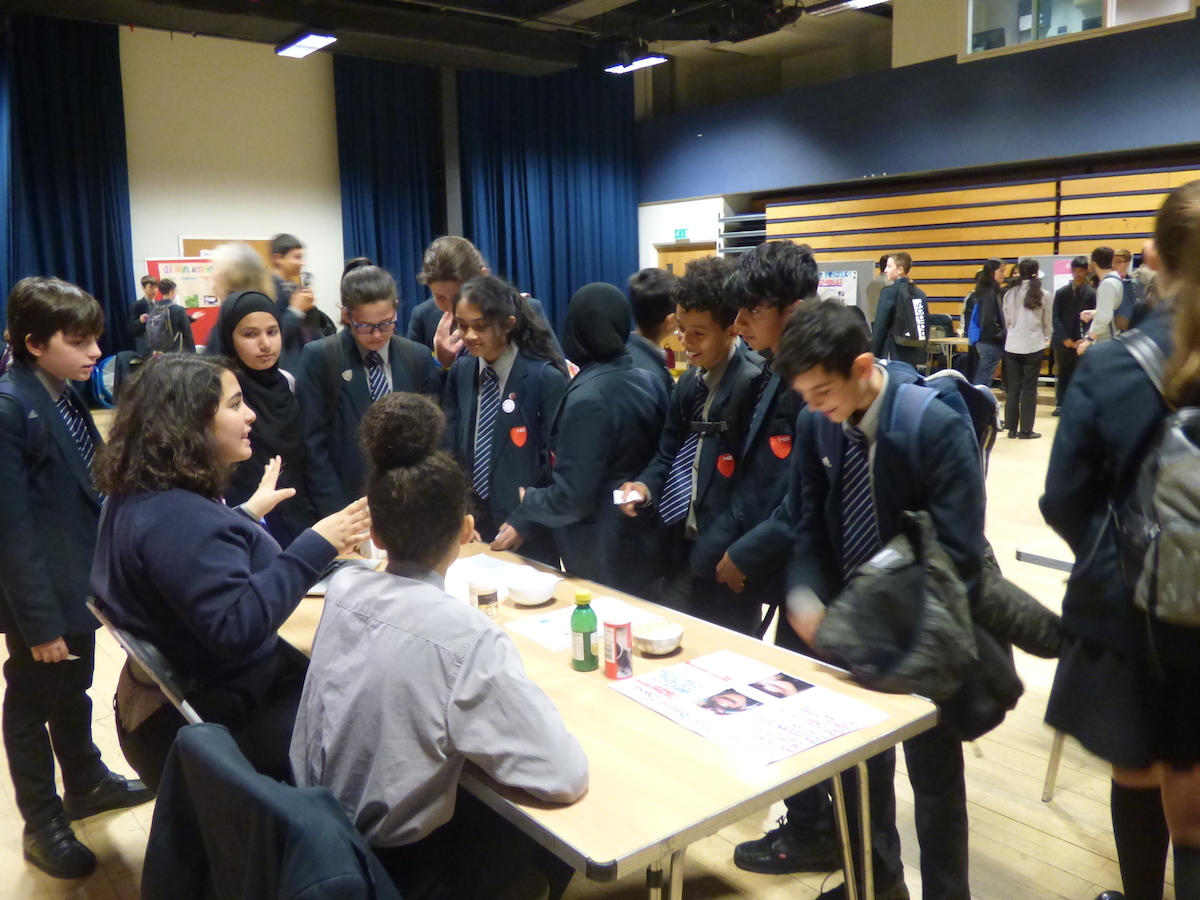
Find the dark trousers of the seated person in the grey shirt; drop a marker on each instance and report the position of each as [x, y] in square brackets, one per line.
[475, 856]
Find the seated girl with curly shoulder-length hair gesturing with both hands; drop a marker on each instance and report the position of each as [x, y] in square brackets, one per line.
[203, 581]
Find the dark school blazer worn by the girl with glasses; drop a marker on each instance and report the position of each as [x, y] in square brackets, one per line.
[337, 471]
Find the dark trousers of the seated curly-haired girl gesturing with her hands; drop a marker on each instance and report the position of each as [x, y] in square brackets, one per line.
[259, 707]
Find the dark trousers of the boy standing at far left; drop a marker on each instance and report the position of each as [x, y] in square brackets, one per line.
[47, 716]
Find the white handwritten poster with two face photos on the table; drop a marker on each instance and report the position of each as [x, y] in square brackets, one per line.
[767, 728]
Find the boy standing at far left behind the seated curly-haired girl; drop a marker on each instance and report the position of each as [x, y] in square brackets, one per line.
[49, 519]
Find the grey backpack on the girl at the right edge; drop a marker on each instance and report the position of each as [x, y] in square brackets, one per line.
[1159, 524]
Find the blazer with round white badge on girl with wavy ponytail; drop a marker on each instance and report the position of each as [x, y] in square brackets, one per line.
[519, 439]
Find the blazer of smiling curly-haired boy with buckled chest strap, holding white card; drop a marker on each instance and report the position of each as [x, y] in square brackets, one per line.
[734, 401]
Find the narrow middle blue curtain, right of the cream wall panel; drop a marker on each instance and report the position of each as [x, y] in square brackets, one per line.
[388, 139]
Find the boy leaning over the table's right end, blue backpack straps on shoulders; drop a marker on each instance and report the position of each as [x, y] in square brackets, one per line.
[854, 477]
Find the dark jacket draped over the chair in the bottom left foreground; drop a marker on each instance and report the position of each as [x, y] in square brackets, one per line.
[221, 830]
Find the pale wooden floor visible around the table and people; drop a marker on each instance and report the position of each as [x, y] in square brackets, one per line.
[1021, 848]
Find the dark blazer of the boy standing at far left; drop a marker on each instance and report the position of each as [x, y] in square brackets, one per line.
[49, 519]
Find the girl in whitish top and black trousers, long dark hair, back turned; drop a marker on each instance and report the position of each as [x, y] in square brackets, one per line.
[1029, 319]
